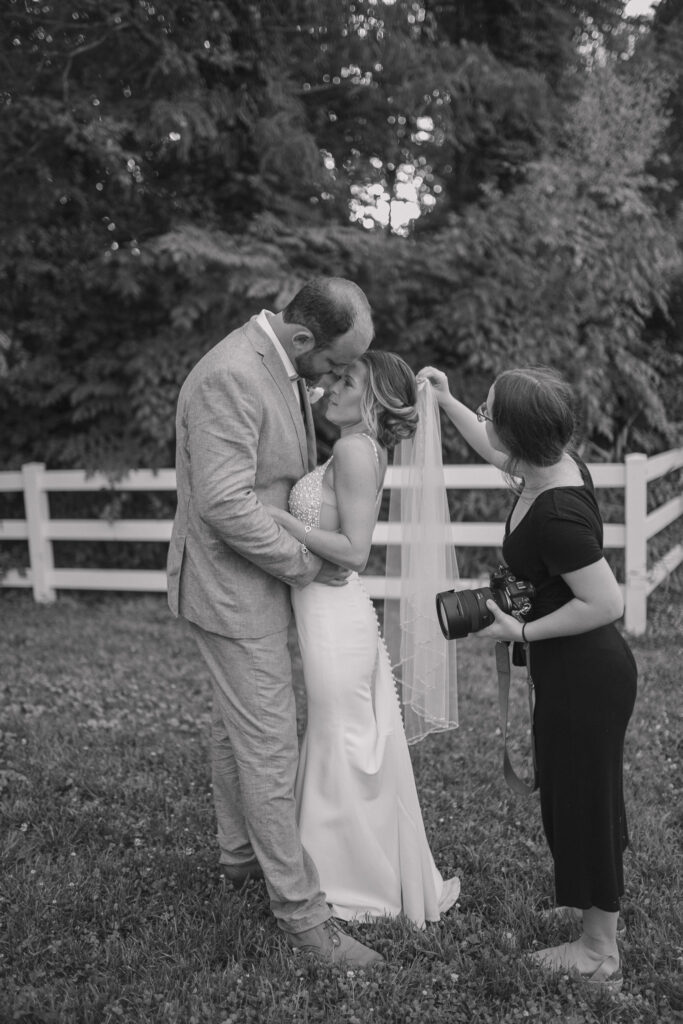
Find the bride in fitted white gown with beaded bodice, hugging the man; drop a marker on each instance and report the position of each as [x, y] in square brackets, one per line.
[358, 805]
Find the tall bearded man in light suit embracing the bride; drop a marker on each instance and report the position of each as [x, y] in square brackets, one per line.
[244, 437]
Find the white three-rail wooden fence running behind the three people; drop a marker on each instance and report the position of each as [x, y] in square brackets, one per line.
[36, 483]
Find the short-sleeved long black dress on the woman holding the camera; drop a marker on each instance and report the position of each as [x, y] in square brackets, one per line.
[585, 693]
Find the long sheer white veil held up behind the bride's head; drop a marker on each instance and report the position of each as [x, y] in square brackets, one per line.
[424, 560]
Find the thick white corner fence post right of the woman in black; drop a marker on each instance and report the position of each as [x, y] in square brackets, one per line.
[635, 509]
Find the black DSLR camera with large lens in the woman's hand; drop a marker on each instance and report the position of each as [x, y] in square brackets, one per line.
[463, 612]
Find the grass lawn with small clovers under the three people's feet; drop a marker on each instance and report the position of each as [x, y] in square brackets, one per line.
[112, 904]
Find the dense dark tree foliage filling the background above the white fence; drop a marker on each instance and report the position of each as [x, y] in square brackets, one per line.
[170, 167]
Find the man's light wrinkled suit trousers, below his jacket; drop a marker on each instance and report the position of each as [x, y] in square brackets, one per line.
[254, 758]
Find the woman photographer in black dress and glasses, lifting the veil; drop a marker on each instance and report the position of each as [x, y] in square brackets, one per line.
[583, 671]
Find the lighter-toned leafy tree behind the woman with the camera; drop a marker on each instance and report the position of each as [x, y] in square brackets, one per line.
[567, 269]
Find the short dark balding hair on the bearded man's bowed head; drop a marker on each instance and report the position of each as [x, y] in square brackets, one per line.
[329, 308]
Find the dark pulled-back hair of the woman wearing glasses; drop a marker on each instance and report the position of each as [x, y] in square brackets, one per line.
[534, 415]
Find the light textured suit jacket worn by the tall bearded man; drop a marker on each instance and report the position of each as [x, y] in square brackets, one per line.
[241, 444]
